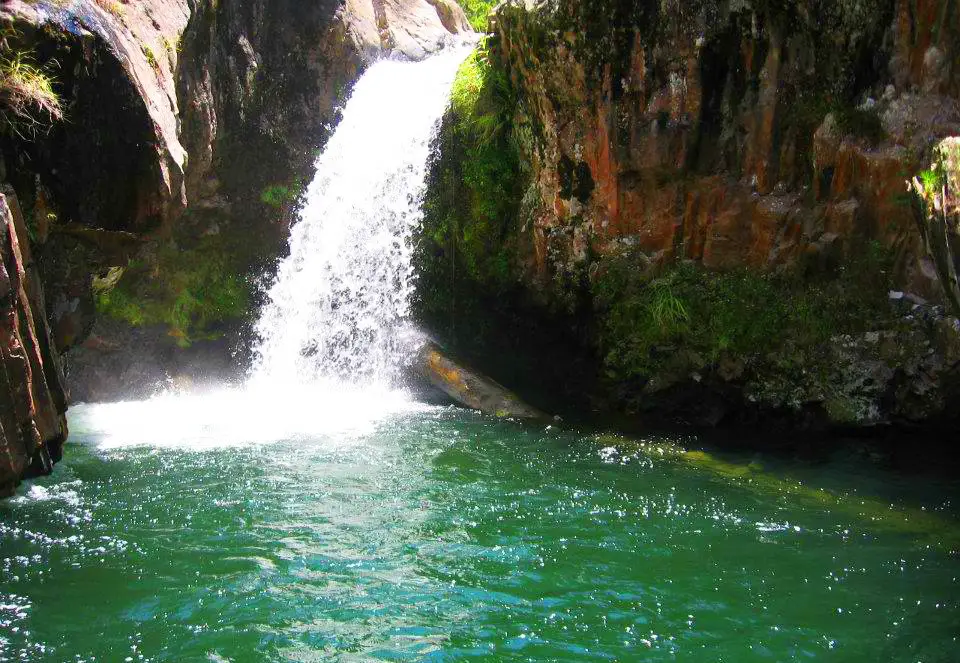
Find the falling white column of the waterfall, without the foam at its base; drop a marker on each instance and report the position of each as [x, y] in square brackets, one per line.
[339, 305]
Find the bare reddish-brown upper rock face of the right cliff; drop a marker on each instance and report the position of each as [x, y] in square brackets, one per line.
[730, 136]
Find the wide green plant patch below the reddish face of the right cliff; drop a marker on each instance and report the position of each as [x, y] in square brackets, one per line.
[647, 315]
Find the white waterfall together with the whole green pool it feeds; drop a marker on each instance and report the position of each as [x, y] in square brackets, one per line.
[303, 519]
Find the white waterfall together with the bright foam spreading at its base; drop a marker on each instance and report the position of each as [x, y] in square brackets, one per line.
[335, 325]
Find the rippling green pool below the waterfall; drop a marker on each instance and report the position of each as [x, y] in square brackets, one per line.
[437, 534]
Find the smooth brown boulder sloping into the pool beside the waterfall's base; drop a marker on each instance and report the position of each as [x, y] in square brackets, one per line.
[469, 388]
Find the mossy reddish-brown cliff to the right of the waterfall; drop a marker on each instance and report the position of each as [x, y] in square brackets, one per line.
[710, 201]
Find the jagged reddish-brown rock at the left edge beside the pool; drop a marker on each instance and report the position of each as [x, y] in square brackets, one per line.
[32, 402]
